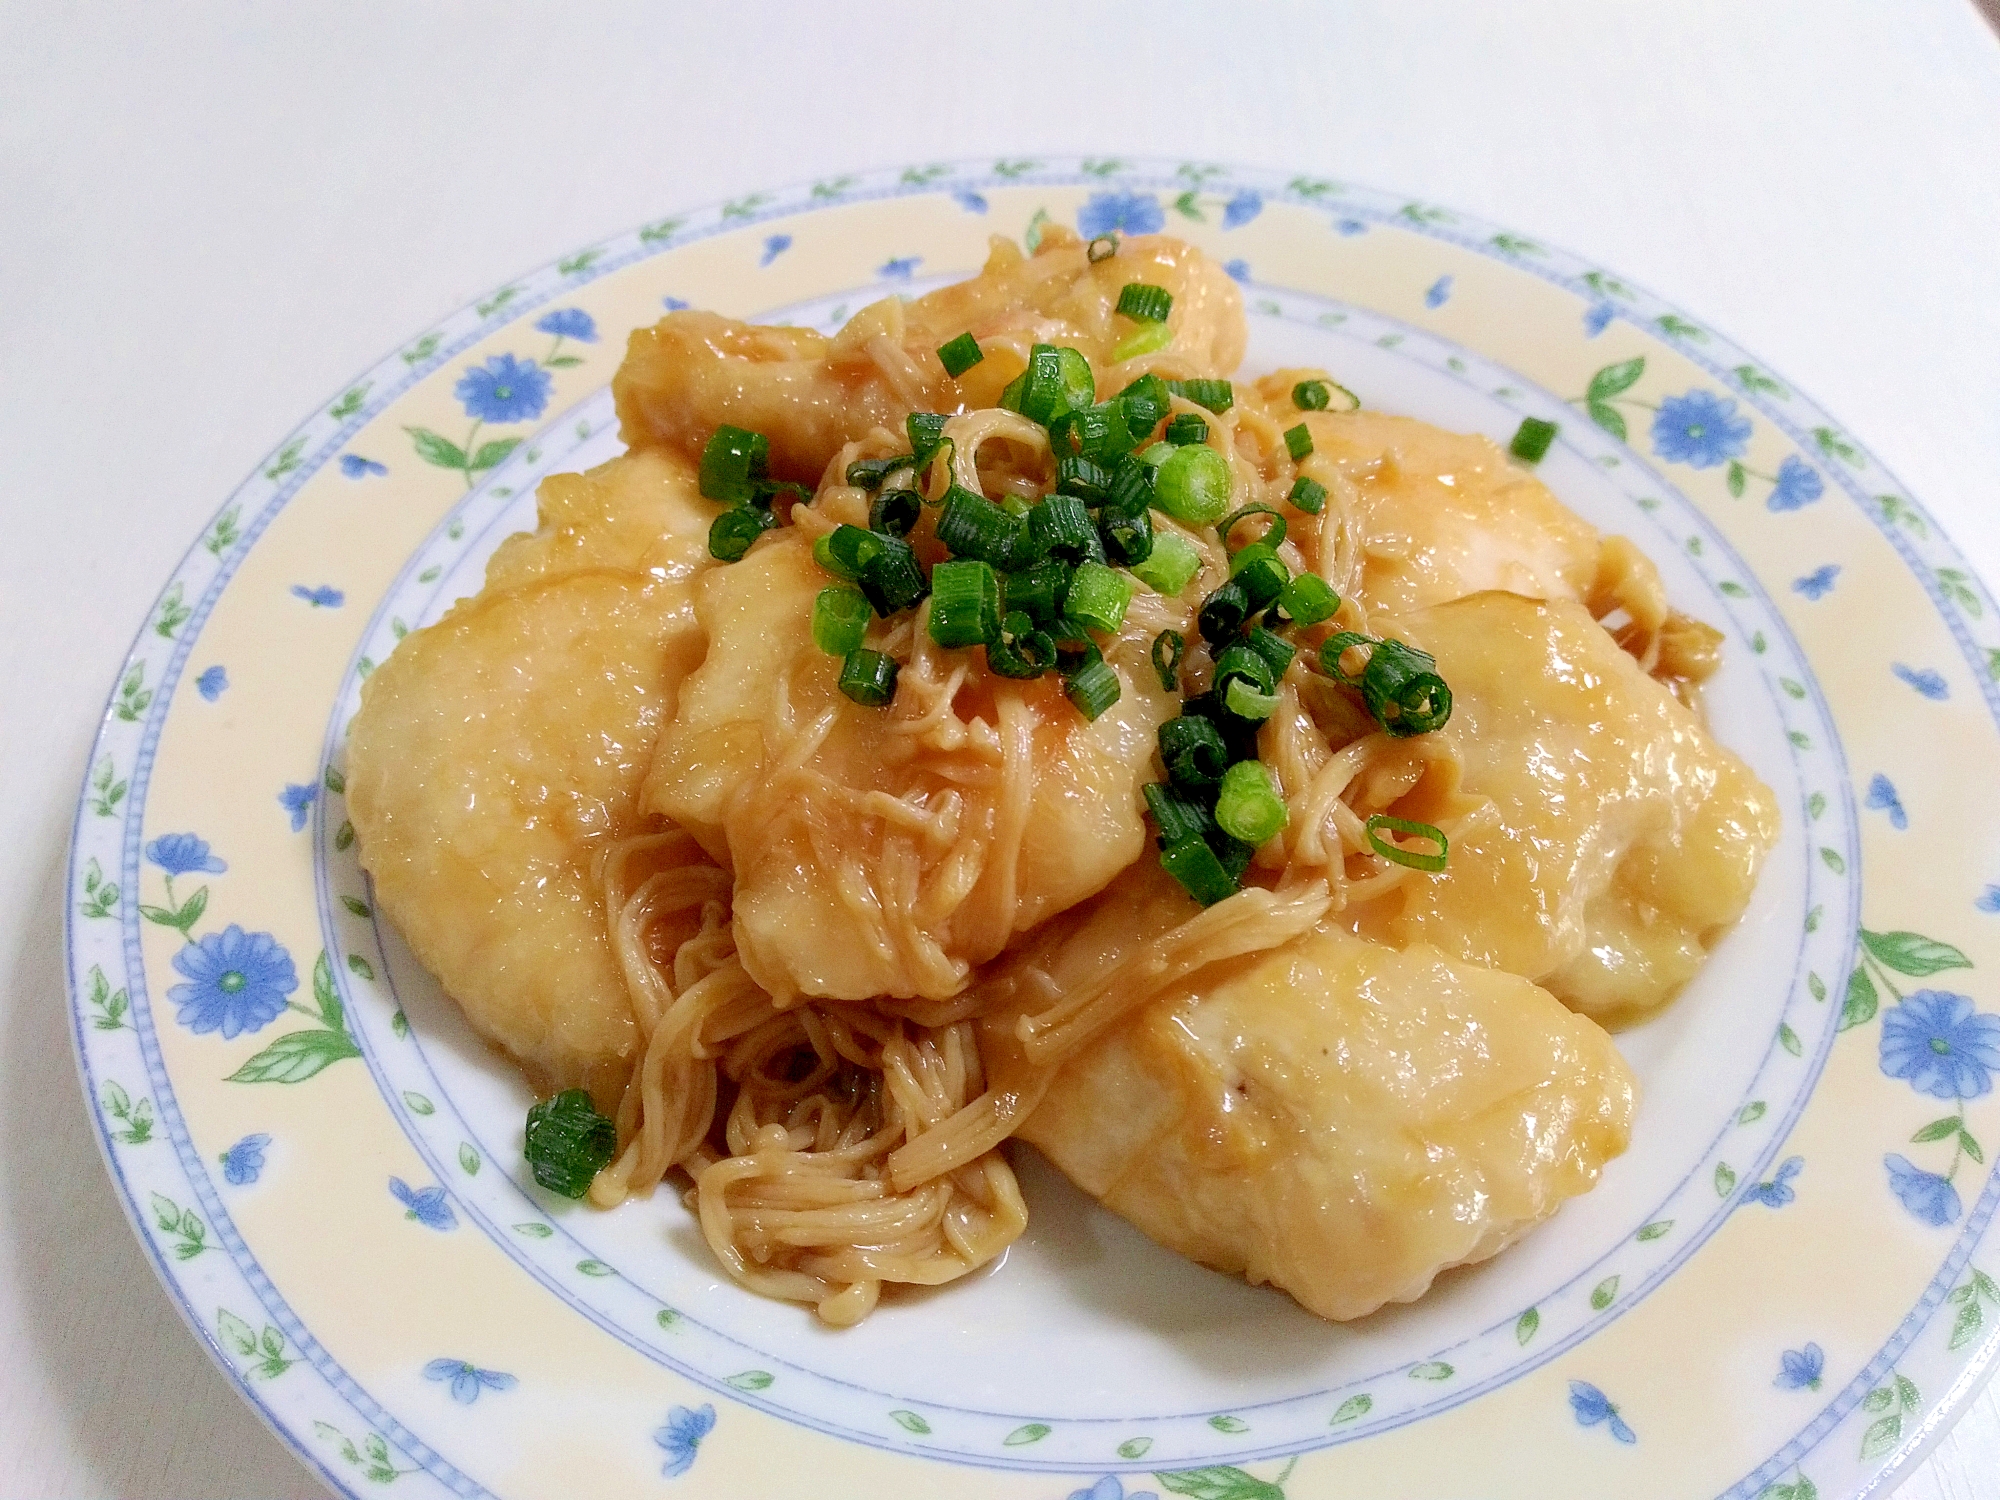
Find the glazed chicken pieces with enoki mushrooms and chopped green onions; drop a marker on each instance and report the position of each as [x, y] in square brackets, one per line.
[997, 721]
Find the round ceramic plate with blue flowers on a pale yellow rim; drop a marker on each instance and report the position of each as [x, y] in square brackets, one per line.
[1779, 1291]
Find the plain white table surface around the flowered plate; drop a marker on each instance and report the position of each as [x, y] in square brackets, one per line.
[211, 215]
